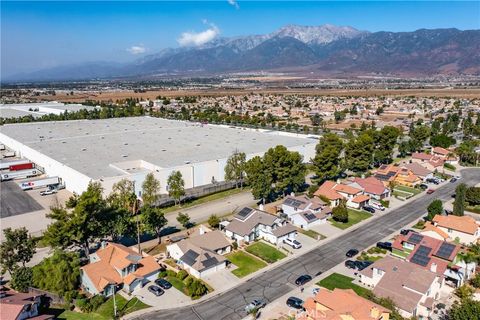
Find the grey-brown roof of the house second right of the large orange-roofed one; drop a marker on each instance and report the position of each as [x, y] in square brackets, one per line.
[255, 217]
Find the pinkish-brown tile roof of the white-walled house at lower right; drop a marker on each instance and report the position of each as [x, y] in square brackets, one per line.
[399, 280]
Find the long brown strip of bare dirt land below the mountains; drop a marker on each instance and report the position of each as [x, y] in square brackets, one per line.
[119, 95]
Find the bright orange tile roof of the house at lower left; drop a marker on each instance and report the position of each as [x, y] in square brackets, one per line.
[117, 257]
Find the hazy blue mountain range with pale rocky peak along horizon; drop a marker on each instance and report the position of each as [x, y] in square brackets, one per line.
[326, 49]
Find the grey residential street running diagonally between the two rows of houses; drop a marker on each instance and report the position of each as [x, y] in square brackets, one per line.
[278, 281]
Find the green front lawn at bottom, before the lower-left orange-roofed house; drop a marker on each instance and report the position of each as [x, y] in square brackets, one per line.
[105, 311]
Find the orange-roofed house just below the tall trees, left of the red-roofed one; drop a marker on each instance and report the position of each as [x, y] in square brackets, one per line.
[335, 192]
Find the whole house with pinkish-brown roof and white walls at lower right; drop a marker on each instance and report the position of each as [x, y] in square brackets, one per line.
[412, 288]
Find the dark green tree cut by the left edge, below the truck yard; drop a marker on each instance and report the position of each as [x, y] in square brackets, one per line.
[17, 248]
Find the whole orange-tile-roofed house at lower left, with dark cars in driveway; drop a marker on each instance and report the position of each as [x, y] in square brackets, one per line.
[114, 267]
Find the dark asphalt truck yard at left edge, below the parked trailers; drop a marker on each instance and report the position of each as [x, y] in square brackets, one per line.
[14, 200]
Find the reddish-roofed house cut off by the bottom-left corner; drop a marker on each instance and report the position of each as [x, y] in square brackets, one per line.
[18, 306]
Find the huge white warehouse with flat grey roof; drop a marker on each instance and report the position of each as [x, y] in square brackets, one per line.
[111, 149]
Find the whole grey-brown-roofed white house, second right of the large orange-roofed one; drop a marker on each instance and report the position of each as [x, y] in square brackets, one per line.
[251, 224]
